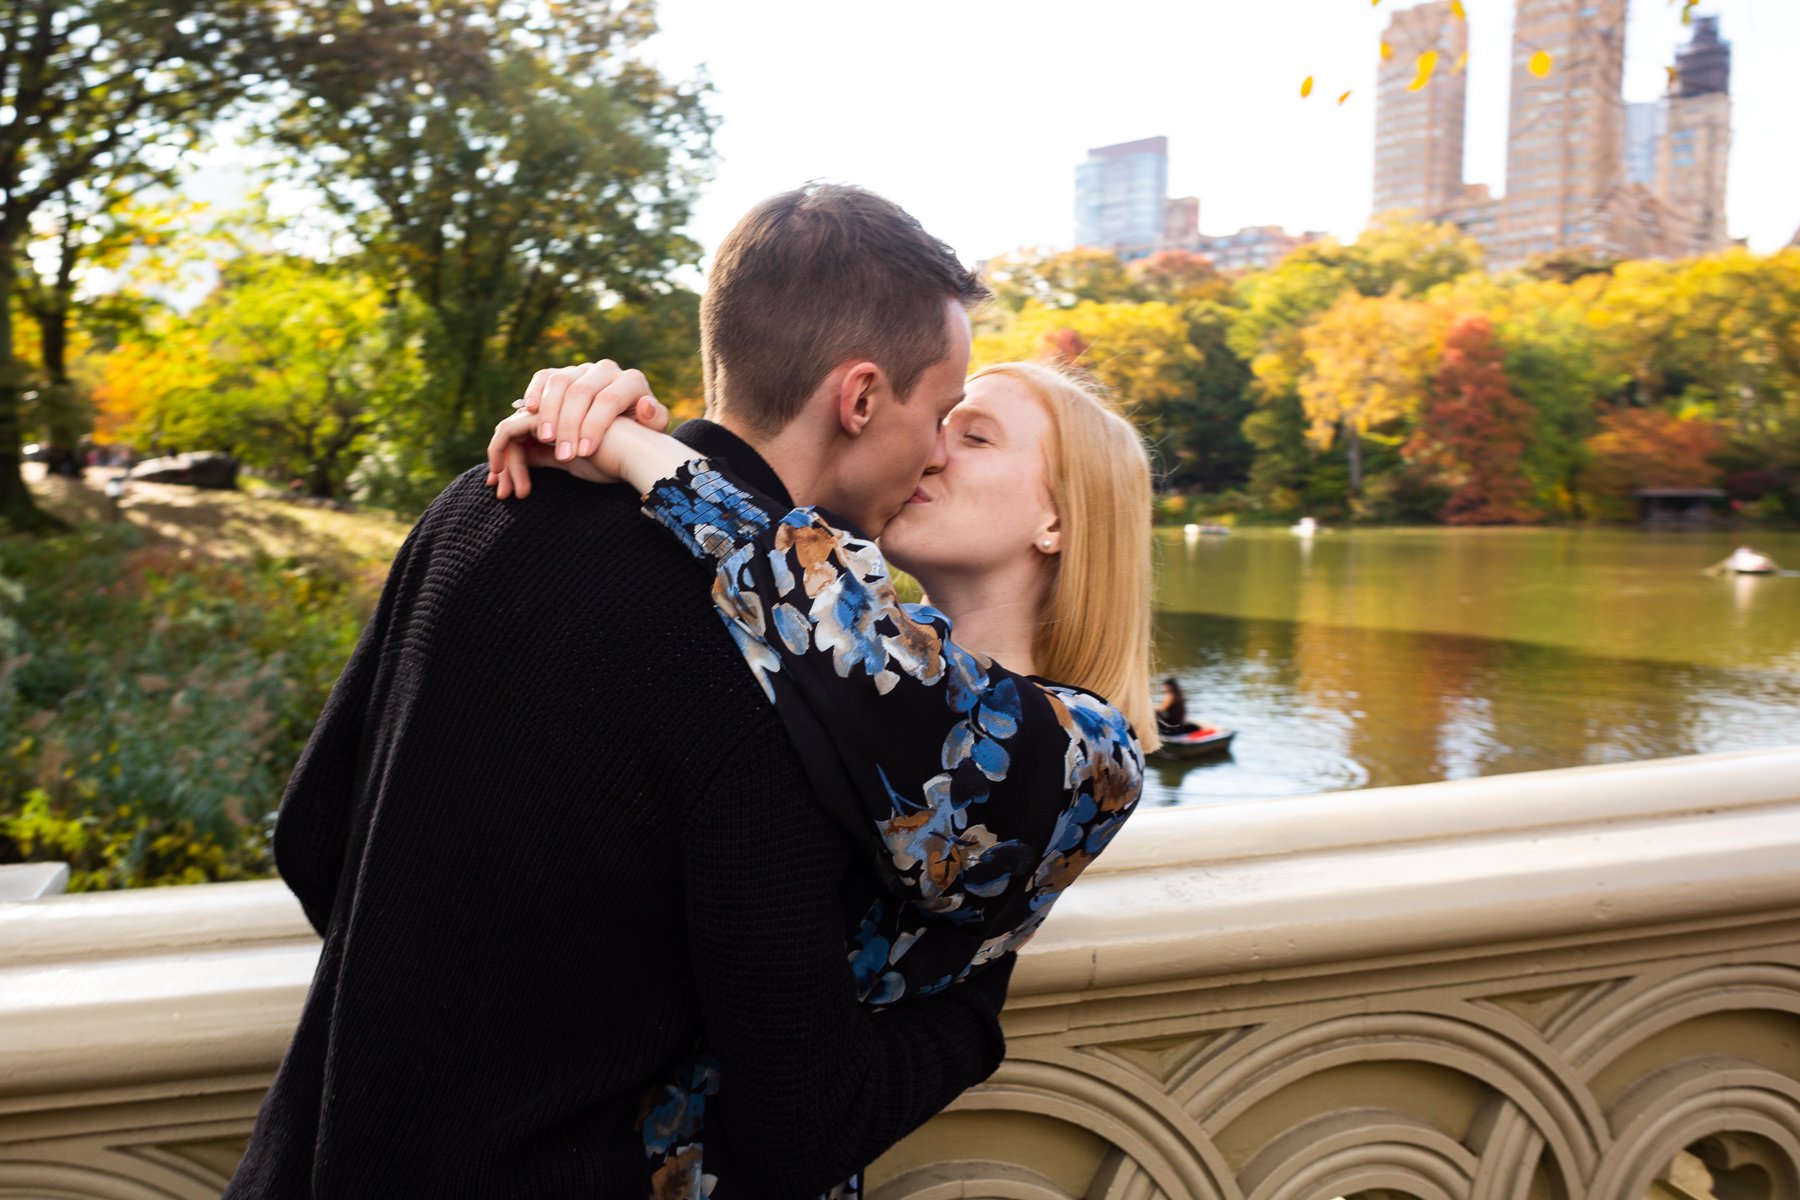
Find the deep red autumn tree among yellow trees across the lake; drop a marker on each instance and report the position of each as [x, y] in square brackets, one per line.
[1473, 433]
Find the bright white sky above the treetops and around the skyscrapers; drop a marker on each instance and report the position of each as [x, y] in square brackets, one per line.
[973, 114]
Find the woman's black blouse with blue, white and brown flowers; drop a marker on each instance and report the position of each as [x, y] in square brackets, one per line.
[980, 794]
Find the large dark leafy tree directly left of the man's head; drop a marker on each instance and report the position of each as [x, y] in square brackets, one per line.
[508, 165]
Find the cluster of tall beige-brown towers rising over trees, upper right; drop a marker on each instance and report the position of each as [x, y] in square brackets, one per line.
[1587, 170]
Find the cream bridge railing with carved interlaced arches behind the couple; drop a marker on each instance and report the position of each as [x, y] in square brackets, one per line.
[1554, 987]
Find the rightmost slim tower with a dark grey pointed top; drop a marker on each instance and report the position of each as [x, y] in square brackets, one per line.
[1696, 150]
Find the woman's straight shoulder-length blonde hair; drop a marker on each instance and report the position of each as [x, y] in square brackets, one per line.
[1097, 625]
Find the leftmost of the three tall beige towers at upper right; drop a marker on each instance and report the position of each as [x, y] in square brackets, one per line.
[1419, 134]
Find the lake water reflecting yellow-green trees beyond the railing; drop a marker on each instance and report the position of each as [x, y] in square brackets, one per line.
[1405, 656]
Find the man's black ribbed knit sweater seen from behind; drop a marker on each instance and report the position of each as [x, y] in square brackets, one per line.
[550, 832]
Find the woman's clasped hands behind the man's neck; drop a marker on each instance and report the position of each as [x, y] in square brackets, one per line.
[562, 422]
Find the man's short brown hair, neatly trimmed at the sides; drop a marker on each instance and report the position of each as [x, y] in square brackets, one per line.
[816, 278]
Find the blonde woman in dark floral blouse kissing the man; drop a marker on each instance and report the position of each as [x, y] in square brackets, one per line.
[984, 769]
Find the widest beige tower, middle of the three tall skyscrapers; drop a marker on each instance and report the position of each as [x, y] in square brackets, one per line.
[1567, 134]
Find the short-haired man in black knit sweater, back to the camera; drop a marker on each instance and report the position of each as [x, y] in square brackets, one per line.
[557, 839]
